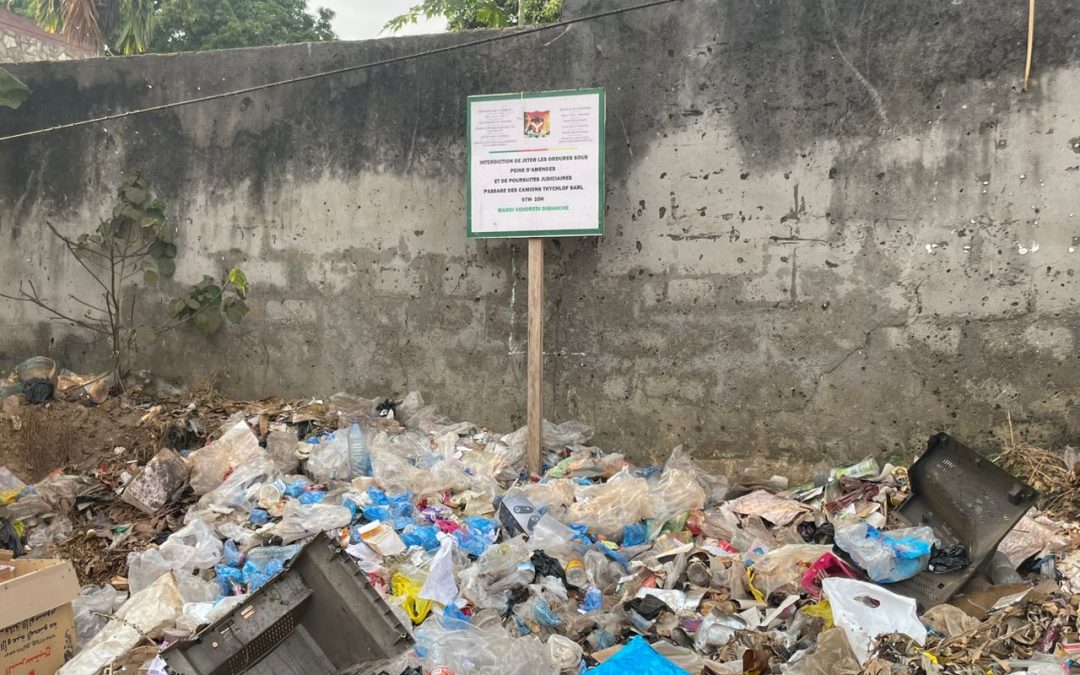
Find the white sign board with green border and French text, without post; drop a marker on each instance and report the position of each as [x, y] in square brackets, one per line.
[536, 165]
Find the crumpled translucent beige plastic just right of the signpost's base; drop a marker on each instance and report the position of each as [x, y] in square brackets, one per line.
[606, 508]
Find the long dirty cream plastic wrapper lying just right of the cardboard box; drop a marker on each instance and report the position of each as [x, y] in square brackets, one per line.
[146, 612]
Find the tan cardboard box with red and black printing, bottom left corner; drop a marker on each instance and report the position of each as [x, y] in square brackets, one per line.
[37, 626]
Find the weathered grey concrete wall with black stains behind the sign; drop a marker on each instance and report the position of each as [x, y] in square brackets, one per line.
[834, 228]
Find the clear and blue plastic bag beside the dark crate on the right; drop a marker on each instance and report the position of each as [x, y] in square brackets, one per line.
[888, 557]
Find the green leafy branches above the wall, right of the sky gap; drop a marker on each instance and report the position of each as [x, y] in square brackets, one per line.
[467, 15]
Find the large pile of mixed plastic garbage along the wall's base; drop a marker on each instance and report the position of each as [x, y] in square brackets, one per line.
[596, 566]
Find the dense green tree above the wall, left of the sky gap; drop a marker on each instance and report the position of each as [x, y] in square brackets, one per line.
[193, 25]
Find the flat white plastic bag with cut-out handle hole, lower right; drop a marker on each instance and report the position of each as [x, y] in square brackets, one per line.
[866, 612]
